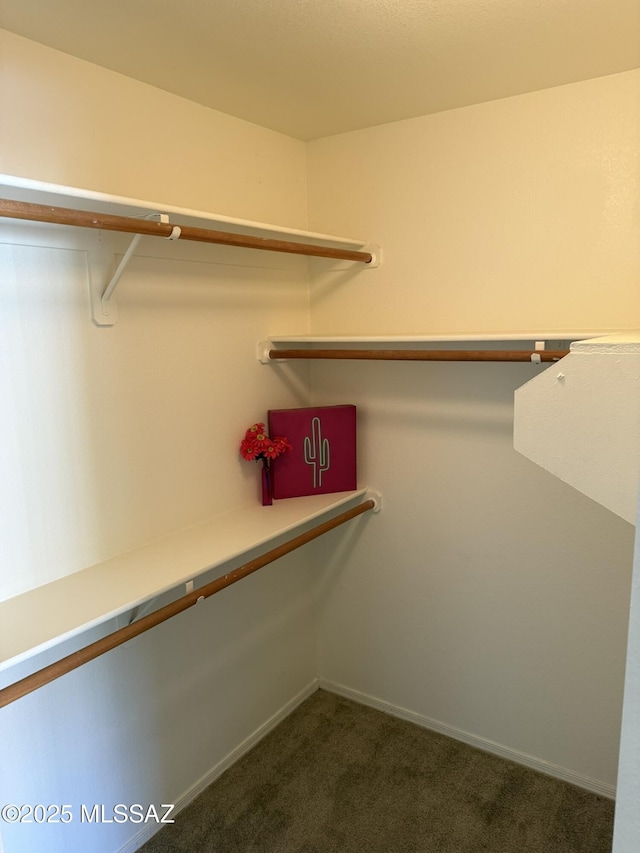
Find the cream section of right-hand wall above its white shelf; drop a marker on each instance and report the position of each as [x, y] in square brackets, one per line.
[511, 215]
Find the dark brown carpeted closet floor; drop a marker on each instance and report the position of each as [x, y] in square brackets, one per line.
[338, 777]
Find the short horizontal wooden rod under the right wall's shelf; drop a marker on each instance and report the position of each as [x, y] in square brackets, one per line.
[423, 355]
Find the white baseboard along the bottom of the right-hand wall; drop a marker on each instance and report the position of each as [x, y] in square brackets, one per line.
[593, 785]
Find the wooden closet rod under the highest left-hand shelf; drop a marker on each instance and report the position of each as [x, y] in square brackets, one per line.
[146, 227]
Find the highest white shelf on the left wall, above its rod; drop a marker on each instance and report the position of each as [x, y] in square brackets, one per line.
[107, 201]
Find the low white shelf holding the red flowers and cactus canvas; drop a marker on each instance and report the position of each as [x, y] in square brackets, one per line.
[42, 618]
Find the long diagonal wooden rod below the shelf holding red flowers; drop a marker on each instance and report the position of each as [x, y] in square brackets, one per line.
[122, 635]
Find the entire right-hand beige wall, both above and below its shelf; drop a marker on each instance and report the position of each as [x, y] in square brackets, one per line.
[487, 598]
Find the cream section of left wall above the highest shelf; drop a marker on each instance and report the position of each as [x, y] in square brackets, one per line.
[69, 122]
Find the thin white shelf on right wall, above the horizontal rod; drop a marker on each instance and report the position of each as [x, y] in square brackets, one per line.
[460, 337]
